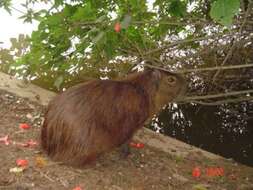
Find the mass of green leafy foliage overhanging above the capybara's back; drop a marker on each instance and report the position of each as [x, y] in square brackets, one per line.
[79, 37]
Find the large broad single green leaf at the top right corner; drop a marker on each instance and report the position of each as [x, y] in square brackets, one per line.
[223, 11]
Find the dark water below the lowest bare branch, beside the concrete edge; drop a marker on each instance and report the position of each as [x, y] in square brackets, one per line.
[224, 130]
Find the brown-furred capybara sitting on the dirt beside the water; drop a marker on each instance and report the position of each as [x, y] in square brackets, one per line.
[94, 117]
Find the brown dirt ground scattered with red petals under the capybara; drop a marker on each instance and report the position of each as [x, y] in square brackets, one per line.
[146, 168]
